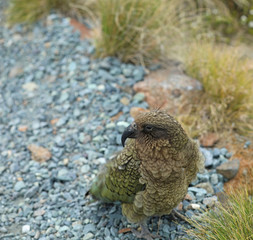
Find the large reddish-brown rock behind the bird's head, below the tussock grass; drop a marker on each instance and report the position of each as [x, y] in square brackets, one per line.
[167, 88]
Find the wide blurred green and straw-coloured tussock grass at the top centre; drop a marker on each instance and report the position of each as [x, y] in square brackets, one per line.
[143, 31]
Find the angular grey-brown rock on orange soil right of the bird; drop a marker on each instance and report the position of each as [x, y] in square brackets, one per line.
[229, 169]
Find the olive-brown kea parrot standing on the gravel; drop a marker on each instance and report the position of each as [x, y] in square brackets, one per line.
[151, 175]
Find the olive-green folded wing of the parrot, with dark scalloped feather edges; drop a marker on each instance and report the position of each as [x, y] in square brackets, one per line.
[119, 179]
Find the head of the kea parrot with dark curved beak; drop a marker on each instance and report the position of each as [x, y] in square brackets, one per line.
[153, 126]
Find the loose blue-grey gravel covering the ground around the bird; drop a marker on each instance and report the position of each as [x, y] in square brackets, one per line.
[55, 95]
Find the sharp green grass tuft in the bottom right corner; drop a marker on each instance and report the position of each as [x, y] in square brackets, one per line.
[232, 221]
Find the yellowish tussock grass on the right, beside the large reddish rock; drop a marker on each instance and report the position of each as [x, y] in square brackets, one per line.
[227, 100]
